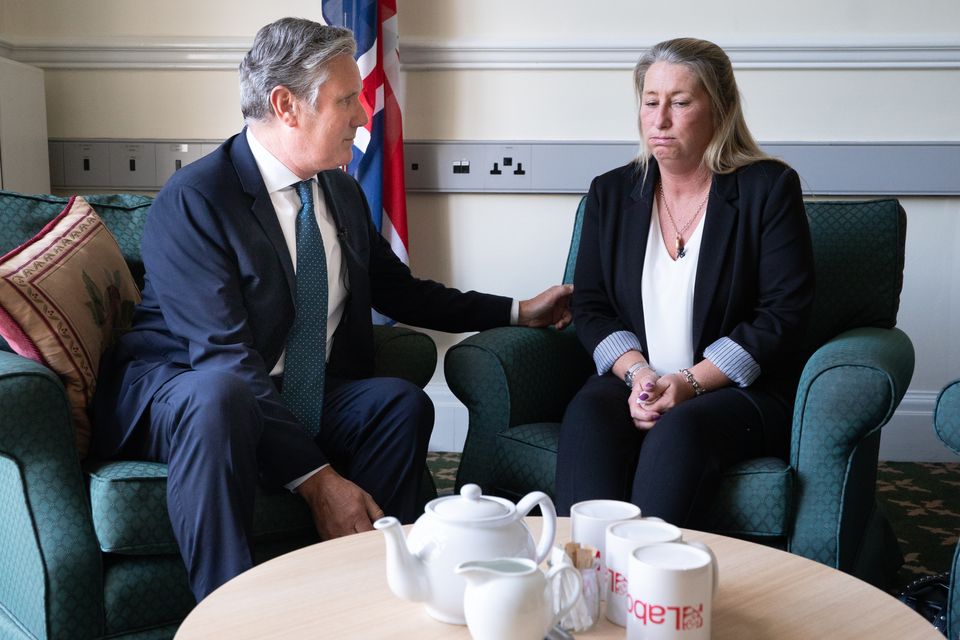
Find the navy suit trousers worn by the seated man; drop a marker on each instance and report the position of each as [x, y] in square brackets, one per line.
[208, 428]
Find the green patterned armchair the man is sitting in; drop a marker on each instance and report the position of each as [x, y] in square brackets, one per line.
[86, 547]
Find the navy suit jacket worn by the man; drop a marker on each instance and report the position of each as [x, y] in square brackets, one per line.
[219, 291]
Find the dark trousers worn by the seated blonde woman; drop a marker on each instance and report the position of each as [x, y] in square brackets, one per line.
[670, 471]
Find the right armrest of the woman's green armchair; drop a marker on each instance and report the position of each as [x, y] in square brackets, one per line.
[849, 389]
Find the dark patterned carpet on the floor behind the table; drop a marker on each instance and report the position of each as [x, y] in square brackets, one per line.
[922, 501]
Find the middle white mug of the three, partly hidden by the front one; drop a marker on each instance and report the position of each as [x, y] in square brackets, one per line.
[622, 538]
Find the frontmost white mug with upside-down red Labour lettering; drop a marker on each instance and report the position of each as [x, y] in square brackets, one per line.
[672, 585]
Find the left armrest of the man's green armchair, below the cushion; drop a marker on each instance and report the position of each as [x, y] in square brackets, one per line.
[49, 559]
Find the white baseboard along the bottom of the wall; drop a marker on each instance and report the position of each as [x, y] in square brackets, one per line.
[909, 436]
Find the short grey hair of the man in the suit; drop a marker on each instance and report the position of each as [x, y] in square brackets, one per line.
[291, 52]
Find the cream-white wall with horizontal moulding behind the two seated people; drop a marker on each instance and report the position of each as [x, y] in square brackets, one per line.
[550, 70]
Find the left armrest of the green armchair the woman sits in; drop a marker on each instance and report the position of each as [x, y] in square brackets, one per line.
[510, 376]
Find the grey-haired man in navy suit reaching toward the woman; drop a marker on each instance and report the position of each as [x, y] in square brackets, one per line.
[196, 382]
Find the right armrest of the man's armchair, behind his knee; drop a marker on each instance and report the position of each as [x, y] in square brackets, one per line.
[400, 352]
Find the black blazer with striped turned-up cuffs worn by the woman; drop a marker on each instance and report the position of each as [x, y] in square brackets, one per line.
[754, 279]
